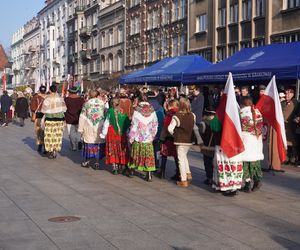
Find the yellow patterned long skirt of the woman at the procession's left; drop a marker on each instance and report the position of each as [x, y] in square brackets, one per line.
[53, 135]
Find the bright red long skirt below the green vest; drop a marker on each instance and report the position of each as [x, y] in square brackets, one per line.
[116, 149]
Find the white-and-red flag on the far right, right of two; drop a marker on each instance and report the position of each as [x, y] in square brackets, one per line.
[270, 107]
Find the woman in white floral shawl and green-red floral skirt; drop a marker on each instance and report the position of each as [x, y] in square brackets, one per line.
[143, 130]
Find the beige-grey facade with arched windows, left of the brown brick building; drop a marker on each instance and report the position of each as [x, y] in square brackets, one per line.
[111, 26]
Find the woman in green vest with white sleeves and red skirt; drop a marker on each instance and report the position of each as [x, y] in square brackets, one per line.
[114, 130]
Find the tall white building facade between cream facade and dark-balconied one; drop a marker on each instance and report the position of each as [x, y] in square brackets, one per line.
[53, 46]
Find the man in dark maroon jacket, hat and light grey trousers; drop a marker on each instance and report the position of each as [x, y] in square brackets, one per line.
[74, 105]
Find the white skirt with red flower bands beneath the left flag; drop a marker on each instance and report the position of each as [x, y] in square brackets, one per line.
[228, 172]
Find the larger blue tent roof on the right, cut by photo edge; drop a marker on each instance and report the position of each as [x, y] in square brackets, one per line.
[253, 65]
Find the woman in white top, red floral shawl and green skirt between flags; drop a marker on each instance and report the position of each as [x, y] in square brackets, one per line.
[252, 129]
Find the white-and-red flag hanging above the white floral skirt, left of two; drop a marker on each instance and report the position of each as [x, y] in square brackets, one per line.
[228, 114]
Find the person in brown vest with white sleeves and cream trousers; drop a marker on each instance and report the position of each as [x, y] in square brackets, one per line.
[181, 126]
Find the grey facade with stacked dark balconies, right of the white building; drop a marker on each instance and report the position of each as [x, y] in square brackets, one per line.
[83, 40]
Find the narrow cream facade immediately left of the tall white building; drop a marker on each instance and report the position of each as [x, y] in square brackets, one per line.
[32, 52]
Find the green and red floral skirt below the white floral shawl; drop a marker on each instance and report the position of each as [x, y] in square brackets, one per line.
[142, 157]
